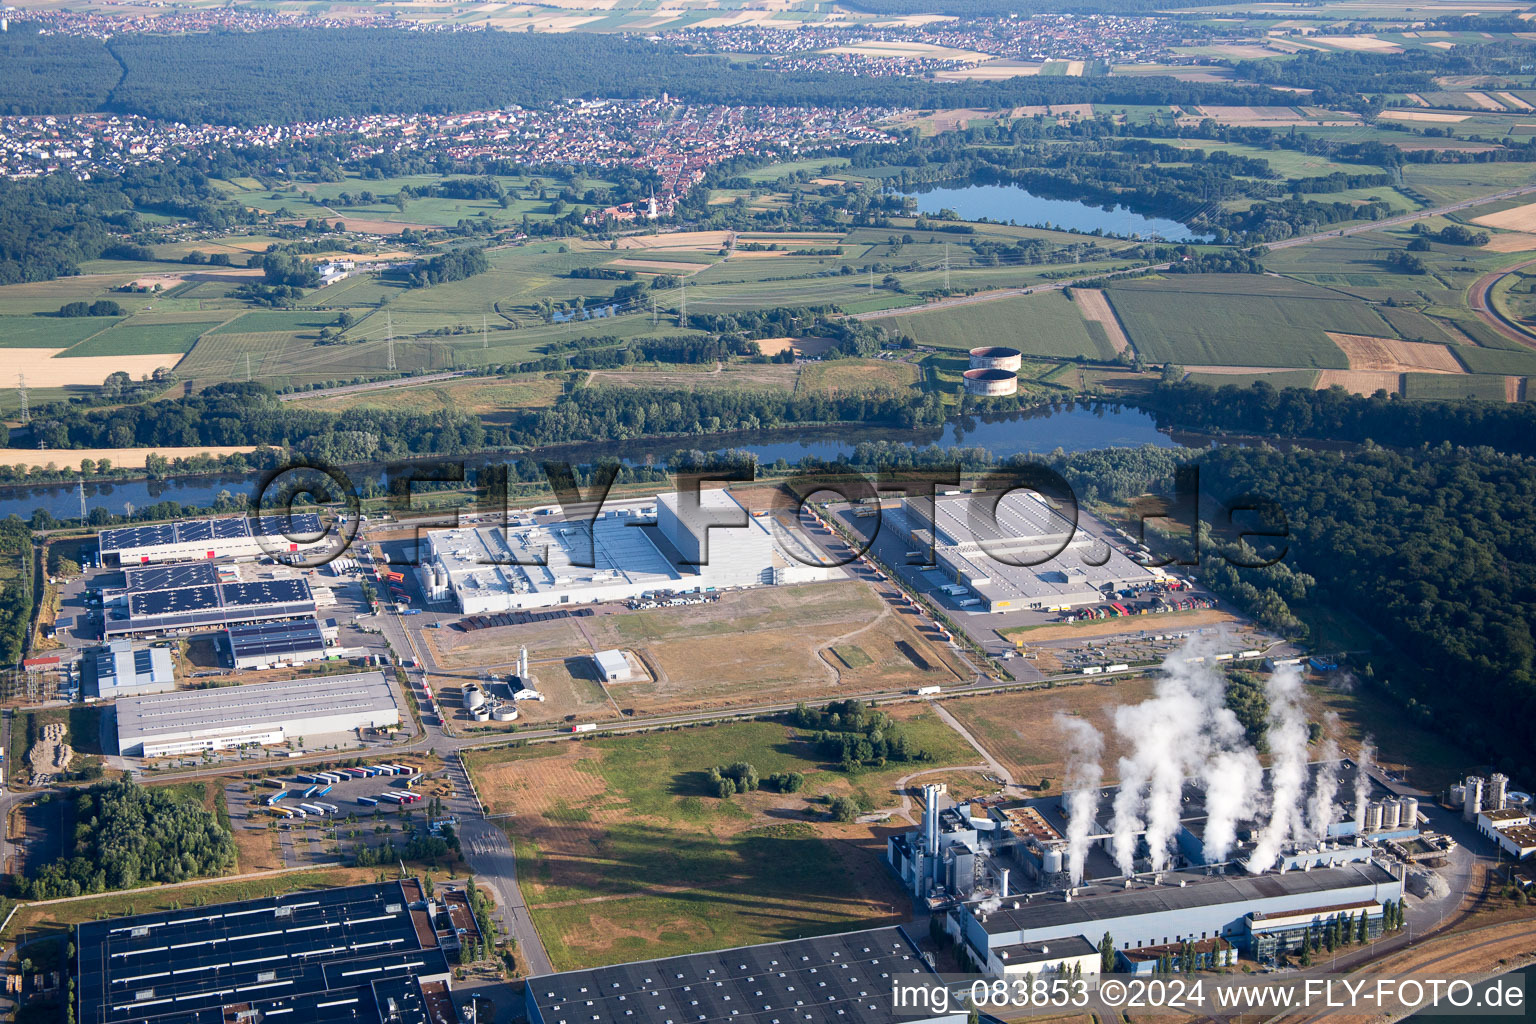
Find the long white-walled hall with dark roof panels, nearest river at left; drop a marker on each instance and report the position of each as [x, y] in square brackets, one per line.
[237, 538]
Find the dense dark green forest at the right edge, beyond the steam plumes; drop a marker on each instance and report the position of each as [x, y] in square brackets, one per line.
[1437, 552]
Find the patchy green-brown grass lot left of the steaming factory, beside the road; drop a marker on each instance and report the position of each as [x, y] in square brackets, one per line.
[627, 853]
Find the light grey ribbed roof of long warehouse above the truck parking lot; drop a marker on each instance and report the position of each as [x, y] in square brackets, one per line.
[250, 707]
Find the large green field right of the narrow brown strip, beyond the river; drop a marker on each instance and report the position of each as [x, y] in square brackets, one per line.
[1240, 320]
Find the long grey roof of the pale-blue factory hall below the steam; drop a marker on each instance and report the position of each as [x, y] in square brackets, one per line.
[1177, 893]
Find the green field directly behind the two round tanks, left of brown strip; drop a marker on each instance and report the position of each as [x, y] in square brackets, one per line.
[1044, 325]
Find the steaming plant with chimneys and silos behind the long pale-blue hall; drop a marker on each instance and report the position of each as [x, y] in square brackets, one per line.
[965, 851]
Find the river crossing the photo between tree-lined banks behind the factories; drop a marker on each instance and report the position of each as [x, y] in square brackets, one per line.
[1074, 429]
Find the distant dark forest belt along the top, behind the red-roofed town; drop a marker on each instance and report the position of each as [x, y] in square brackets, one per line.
[286, 76]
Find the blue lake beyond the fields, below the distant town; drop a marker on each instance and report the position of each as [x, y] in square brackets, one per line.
[1015, 203]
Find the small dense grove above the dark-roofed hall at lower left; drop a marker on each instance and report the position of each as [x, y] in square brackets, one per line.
[131, 836]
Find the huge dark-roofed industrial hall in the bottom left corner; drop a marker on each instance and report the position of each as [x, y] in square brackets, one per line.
[362, 954]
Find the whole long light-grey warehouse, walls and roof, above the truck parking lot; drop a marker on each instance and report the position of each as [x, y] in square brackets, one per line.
[256, 715]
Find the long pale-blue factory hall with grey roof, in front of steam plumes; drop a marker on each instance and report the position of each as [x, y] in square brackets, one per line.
[1265, 914]
